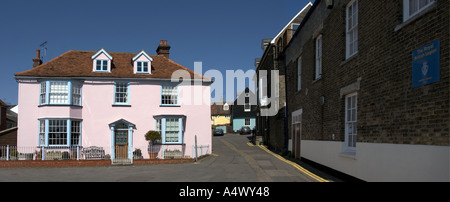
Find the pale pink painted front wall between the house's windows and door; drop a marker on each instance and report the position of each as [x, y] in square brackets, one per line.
[97, 112]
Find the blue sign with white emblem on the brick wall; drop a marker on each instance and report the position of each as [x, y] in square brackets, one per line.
[426, 64]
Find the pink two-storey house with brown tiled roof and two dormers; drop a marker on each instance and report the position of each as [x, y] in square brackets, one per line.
[109, 101]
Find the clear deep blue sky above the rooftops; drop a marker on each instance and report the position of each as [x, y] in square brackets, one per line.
[224, 35]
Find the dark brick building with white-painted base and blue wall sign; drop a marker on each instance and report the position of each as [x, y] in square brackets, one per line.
[367, 88]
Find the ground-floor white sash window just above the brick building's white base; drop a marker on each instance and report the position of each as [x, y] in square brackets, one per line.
[351, 121]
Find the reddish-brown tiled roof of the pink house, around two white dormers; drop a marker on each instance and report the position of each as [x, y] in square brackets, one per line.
[79, 64]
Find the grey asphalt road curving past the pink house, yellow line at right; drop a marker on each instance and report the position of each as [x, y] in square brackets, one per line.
[233, 159]
